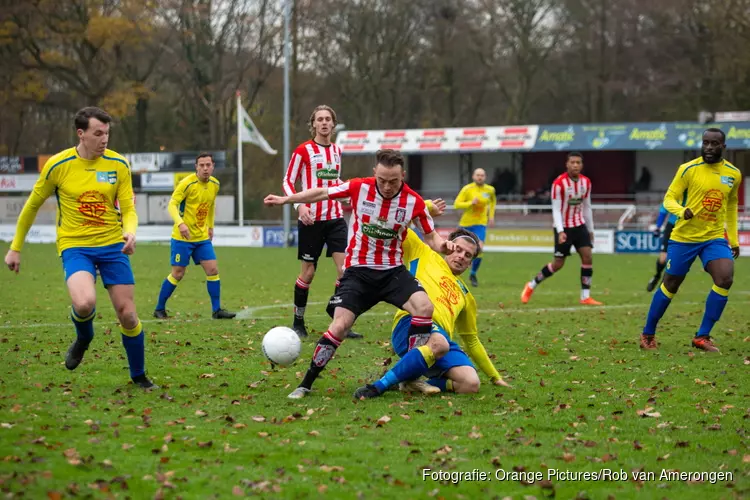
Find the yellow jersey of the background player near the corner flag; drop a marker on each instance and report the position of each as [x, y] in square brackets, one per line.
[193, 203]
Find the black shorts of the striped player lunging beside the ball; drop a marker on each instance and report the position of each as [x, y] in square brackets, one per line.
[362, 288]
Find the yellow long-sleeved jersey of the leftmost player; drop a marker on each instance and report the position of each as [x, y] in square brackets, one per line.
[88, 195]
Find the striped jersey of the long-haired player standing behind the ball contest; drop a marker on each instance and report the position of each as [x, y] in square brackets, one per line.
[318, 166]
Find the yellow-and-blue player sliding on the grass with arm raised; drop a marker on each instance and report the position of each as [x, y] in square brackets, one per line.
[455, 313]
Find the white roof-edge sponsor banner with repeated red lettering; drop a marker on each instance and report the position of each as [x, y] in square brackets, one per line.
[475, 139]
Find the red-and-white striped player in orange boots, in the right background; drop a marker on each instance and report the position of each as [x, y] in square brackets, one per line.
[573, 221]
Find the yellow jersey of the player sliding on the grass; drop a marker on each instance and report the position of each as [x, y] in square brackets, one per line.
[455, 309]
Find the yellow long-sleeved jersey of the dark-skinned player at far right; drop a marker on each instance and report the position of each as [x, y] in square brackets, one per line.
[709, 190]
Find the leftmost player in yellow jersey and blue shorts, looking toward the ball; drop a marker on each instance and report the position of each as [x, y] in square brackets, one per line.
[89, 181]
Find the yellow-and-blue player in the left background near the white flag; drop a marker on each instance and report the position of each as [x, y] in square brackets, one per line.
[192, 207]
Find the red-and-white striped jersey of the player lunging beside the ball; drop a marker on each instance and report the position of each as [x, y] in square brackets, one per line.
[378, 226]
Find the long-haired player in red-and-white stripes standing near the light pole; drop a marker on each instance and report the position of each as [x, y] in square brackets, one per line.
[316, 164]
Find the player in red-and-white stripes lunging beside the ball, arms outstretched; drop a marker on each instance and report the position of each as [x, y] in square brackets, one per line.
[382, 207]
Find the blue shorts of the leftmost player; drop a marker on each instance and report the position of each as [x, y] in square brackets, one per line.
[112, 264]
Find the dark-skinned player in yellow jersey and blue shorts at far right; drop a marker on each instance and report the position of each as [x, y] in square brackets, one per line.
[703, 195]
